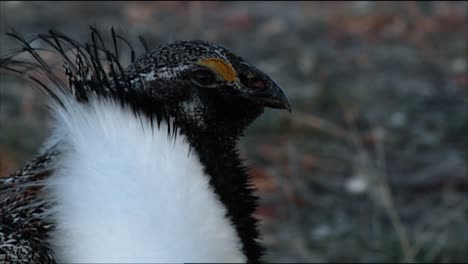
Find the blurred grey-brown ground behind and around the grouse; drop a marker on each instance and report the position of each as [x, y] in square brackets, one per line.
[371, 166]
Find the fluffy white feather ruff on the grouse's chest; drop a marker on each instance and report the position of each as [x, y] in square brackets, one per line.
[126, 193]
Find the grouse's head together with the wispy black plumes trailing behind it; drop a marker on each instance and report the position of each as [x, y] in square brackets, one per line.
[204, 86]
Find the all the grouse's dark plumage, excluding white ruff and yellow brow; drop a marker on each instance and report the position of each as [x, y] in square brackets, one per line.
[162, 85]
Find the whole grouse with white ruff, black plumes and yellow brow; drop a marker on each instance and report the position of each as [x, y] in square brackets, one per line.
[141, 163]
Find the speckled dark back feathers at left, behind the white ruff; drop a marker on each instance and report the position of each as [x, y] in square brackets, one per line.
[23, 227]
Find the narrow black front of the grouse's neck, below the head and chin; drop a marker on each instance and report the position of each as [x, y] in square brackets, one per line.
[229, 178]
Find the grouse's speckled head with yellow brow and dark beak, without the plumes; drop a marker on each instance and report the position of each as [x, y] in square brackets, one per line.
[207, 85]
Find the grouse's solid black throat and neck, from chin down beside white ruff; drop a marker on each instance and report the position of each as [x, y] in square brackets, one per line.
[215, 142]
